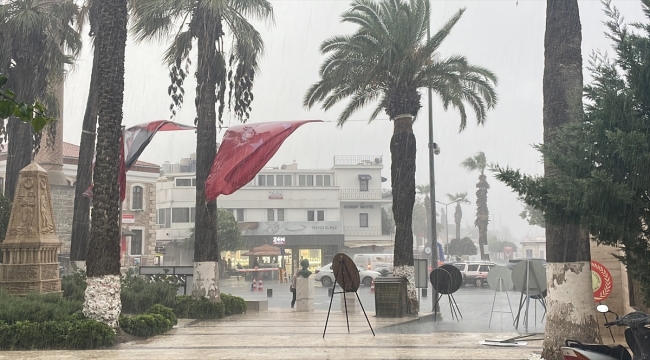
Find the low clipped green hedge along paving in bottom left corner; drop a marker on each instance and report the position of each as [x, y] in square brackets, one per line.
[75, 334]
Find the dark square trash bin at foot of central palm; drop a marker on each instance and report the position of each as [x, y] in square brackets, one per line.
[391, 296]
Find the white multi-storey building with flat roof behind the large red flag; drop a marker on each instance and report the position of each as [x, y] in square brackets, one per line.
[310, 213]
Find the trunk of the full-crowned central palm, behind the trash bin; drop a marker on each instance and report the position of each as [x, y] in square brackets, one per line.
[403, 150]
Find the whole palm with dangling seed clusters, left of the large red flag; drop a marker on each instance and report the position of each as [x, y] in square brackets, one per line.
[218, 69]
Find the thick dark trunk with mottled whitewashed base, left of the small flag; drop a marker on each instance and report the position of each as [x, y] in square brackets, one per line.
[102, 298]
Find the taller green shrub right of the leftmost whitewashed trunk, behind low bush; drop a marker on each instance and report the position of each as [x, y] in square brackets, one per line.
[139, 294]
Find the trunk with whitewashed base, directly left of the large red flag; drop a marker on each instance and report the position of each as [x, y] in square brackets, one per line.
[206, 253]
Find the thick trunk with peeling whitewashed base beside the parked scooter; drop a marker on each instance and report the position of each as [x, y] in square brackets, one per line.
[570, 296]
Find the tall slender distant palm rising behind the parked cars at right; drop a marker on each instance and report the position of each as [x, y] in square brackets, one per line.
[478, 162]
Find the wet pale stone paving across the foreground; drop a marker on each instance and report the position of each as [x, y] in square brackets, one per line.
[286, 334]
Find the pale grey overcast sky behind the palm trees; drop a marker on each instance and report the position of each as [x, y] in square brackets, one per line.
[505, 36]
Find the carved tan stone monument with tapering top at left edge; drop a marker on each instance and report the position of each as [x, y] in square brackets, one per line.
[31, 248]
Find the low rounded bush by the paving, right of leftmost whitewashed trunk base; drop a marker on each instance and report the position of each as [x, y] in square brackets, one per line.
[157, 320]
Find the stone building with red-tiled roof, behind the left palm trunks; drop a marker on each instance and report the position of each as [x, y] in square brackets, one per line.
[139, 213]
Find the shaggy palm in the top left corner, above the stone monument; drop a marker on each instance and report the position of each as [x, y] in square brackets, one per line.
[37, 36]
